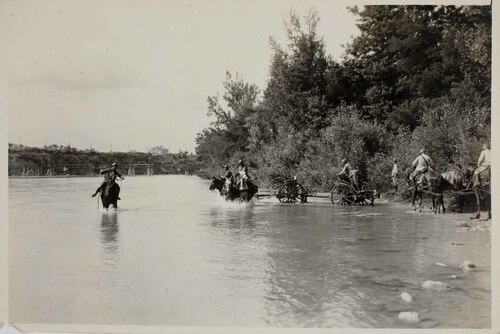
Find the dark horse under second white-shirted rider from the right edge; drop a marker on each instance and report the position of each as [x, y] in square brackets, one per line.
[429, 182]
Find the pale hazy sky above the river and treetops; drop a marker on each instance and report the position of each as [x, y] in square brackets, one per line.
[137, 73]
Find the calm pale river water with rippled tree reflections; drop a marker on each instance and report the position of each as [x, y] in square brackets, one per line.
[177, 254]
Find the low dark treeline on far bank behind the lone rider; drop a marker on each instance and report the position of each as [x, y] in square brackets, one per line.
[64, 160]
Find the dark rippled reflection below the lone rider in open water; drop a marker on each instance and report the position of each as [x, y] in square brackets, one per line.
[110, 237]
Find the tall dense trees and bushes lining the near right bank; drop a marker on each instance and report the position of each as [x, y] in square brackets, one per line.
[416, 77]
